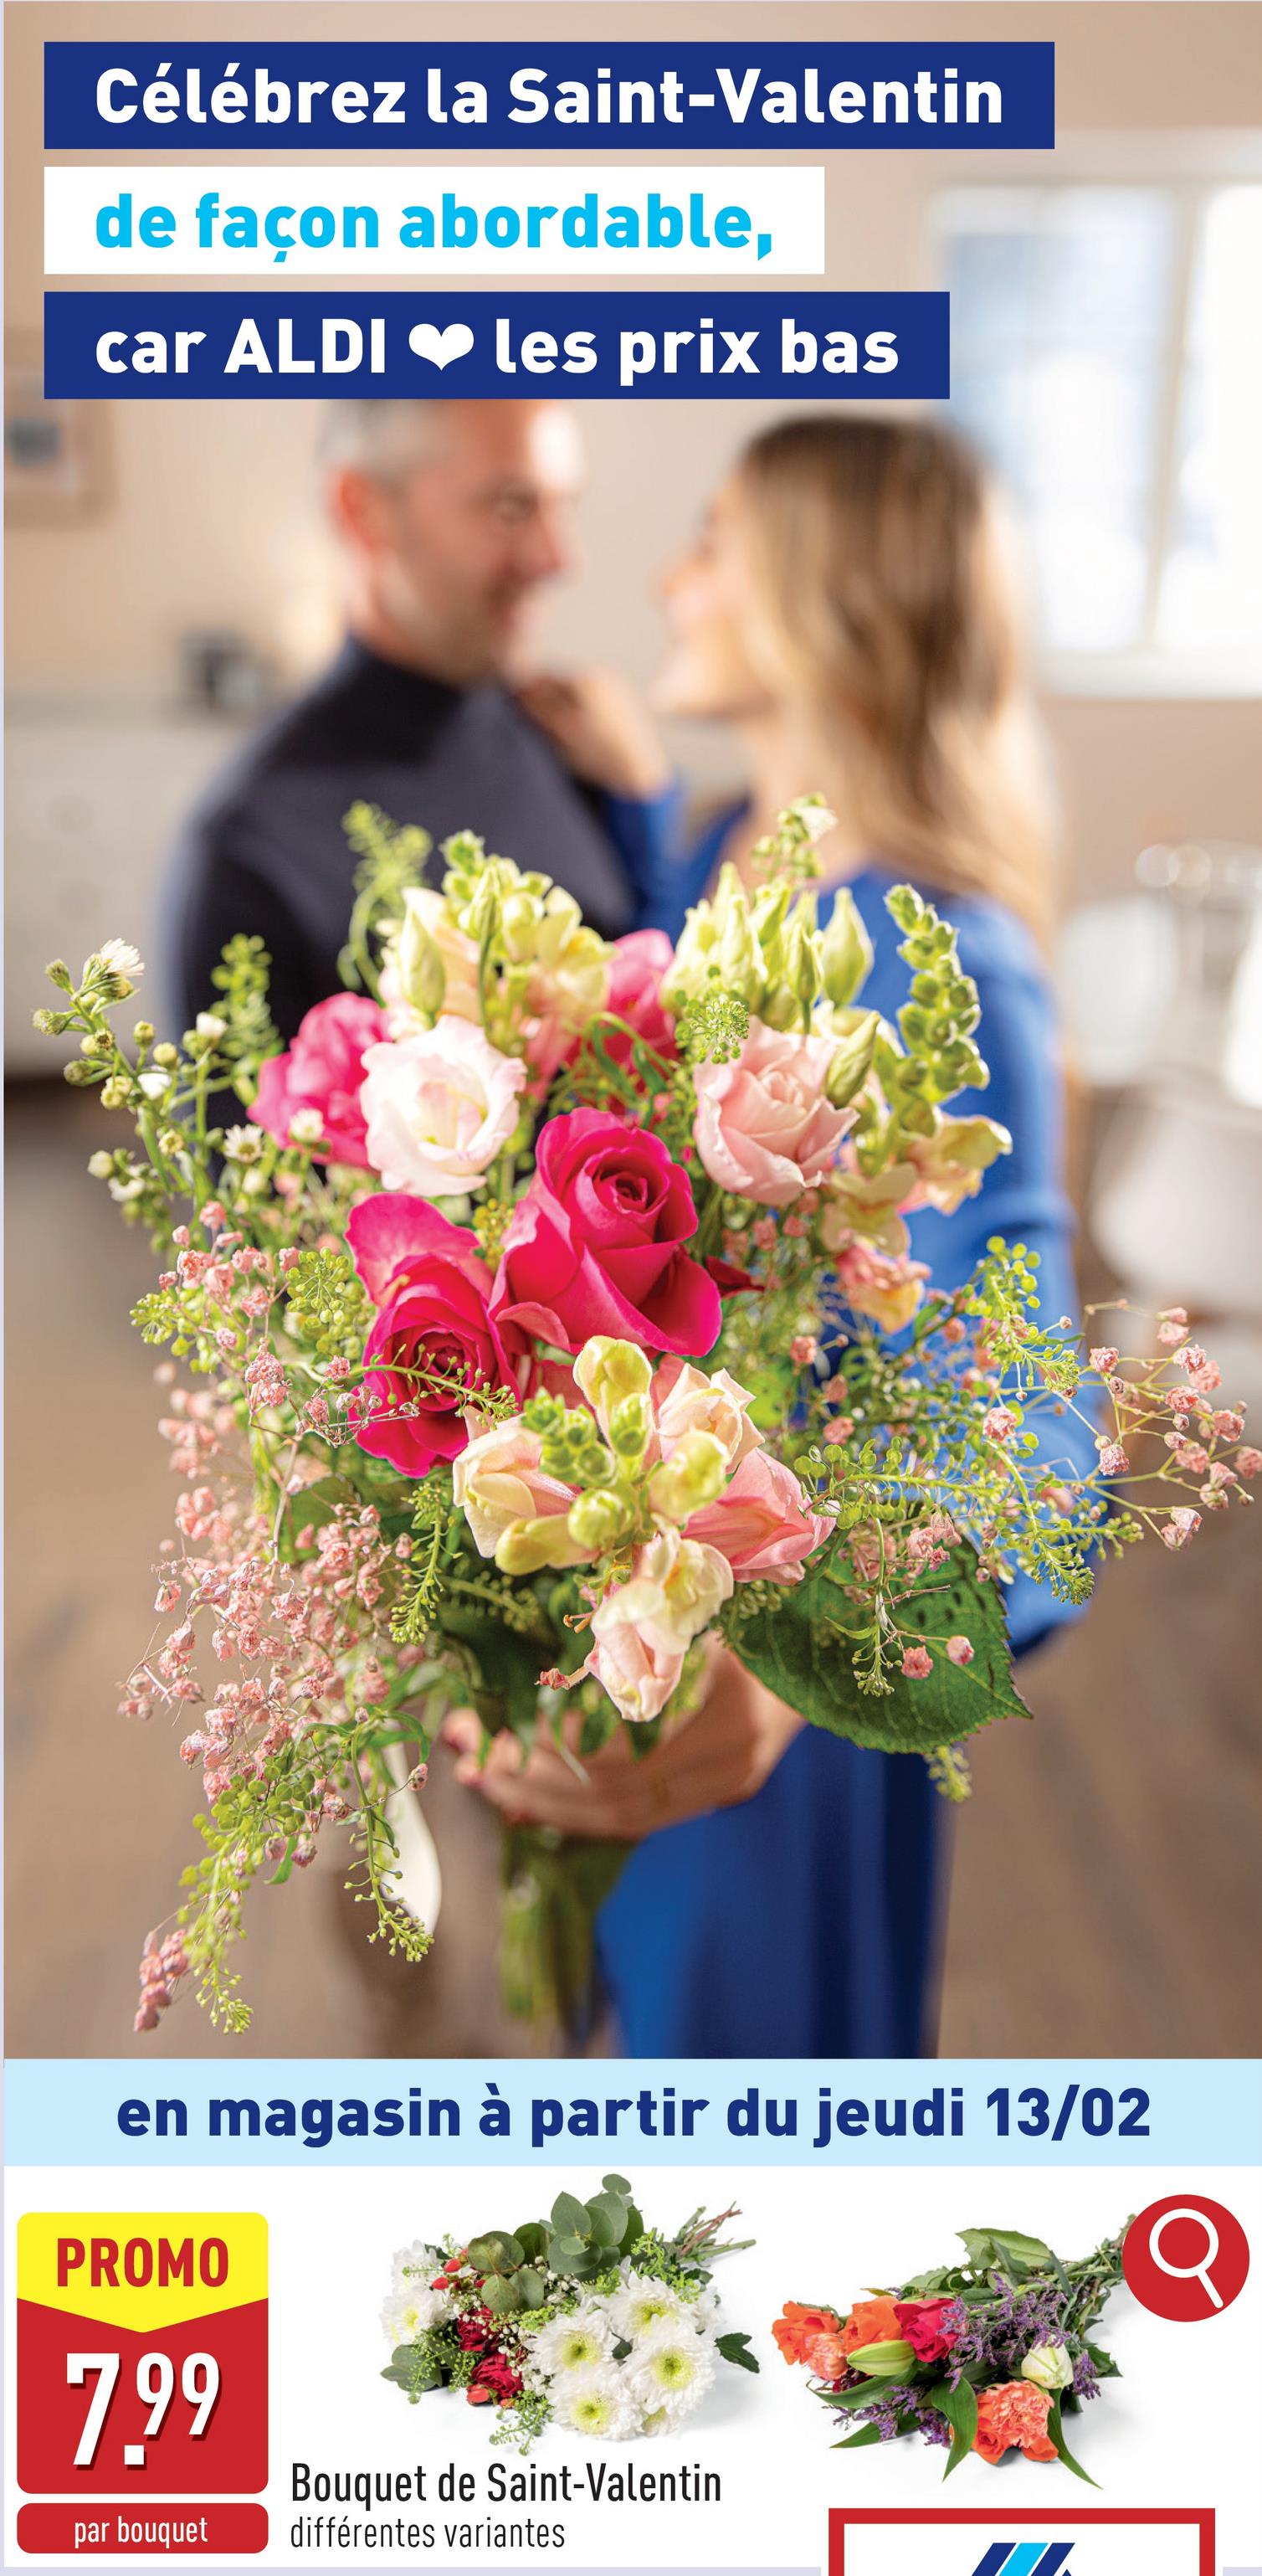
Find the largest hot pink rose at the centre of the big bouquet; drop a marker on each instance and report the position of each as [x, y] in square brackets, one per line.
[599, 1243]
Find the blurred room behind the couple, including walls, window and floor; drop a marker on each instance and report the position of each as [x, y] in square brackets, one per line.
[169, 581]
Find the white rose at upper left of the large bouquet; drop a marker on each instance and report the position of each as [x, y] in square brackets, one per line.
[439, 1109]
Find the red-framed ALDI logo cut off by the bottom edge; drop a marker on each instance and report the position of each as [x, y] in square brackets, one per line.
[1080, 2541]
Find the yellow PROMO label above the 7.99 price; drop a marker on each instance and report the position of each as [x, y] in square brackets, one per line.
[138, 2268]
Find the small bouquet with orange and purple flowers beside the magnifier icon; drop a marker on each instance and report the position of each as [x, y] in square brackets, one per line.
[985, 2356]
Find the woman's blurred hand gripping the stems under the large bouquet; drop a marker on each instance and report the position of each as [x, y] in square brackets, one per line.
[717, 1758]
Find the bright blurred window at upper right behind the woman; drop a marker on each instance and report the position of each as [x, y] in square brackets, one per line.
[1109, 359]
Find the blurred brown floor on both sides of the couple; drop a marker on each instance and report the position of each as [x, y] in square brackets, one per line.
[1106, 1892]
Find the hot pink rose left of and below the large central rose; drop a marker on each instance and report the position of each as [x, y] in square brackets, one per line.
[431, 1289]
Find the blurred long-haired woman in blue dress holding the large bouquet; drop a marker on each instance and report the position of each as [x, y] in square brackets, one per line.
[849, 612]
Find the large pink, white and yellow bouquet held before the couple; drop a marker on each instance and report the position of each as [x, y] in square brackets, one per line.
[550, 1323]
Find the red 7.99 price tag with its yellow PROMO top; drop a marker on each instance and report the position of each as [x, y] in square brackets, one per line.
[143, 2353]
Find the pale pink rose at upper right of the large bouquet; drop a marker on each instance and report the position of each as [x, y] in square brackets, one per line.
[764, 1127]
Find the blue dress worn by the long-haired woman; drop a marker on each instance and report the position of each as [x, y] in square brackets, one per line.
[807, 1923]
